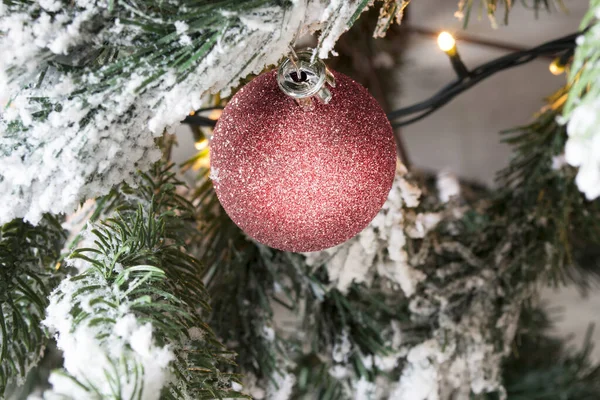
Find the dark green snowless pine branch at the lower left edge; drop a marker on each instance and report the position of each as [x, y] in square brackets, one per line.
[27, 256]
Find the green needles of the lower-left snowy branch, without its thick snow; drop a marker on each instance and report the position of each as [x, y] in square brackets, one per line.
[139, 265]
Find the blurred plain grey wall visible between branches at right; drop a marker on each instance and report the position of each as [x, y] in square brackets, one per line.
[462, 137]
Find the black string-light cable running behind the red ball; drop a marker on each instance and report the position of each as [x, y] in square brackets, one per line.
[565, 46]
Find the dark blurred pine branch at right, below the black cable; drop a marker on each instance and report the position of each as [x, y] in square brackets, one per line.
[542, 205]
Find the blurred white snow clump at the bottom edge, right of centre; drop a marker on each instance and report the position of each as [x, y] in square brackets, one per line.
[462, 357]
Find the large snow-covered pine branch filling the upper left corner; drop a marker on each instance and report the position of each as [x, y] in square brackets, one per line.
[90, 84]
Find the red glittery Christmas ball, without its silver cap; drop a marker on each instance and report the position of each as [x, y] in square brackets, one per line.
[302, 179]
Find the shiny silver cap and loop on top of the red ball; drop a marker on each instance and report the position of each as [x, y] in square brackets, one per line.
[302, 79]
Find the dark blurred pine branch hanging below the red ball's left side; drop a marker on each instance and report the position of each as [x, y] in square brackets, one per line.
[242, 277]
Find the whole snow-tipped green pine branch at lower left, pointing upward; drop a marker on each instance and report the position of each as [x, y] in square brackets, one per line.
[128, 322]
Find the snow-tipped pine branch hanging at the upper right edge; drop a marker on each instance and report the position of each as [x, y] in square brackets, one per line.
[582, 110]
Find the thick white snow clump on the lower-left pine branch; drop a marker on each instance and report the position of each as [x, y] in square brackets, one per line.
[108, 352]
